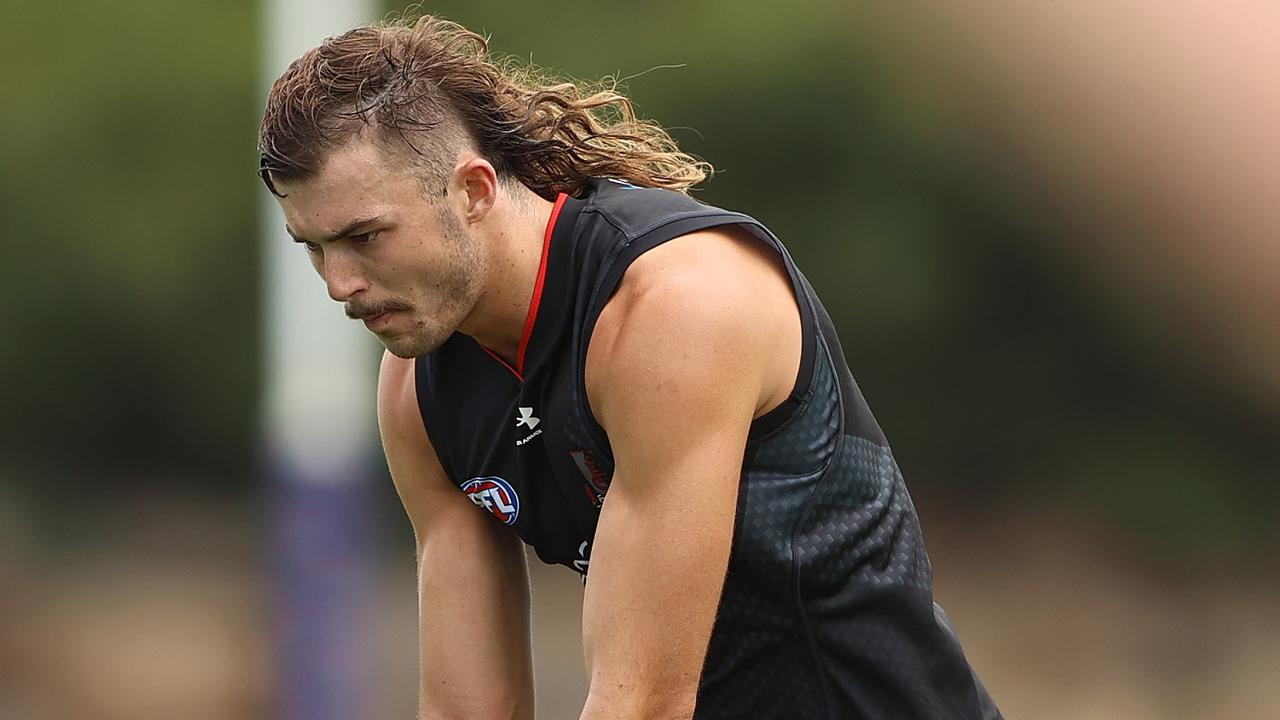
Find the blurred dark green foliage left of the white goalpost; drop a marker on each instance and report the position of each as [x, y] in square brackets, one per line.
[131, 330]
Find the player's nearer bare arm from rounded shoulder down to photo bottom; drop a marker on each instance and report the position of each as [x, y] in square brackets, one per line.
[702, 338]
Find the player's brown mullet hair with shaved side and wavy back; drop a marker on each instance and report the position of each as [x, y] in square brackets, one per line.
[432, 88]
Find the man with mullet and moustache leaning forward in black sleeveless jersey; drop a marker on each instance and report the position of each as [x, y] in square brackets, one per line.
[642, 388]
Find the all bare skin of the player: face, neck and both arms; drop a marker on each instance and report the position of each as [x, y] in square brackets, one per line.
[702, 338]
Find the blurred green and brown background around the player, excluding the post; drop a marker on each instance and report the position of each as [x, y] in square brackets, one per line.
[1082, 405]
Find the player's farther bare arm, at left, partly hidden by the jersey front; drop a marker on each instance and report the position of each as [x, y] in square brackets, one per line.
[473, 582]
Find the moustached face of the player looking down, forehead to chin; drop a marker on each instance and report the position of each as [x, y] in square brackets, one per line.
[401, 262]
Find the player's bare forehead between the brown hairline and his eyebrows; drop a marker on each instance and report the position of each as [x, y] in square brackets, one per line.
[356, 181]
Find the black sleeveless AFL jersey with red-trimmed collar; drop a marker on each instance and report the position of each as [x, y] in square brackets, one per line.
[828, 609]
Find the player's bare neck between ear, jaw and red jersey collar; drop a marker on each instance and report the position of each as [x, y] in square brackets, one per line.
[515, 234]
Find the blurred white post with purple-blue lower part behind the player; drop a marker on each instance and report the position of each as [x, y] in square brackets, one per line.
[319, 425]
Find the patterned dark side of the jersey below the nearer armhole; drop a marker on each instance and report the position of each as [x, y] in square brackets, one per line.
[828, 609]
